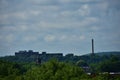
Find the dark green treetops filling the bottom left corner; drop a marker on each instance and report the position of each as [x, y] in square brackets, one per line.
[10, 71]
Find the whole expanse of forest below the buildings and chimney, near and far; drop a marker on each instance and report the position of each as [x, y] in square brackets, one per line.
[99, 67]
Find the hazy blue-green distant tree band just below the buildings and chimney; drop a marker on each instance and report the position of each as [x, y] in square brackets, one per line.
[98, 57]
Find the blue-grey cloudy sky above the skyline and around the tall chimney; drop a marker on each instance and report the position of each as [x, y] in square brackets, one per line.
[65, 26]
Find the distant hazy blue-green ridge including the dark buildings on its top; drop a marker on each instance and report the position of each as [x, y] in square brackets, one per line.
[44, 57]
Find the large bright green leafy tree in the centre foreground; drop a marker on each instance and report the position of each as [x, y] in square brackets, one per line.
[54, 70]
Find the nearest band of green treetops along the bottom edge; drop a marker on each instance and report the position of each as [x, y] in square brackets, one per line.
[51, 70]
